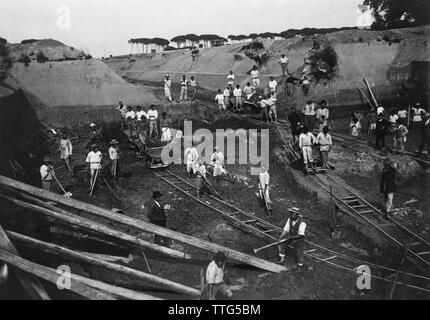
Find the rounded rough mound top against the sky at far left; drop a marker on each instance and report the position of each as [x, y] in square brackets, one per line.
[53, 50]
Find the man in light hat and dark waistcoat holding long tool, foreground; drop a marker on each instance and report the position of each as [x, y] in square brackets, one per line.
[295, 228]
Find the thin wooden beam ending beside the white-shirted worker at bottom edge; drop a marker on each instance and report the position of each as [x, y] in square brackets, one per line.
[137, 274]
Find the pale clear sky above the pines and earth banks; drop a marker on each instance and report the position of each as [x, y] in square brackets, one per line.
[103, 27]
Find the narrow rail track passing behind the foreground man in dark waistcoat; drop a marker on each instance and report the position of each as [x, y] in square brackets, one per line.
[256, 226]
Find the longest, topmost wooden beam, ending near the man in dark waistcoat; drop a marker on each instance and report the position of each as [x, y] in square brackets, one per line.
[144, 226]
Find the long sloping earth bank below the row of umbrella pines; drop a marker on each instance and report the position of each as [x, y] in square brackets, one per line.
[383, 57]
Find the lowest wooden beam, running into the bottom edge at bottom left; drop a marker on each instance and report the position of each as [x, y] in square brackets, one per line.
[51, 276]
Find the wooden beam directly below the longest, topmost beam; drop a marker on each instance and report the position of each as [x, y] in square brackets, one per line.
[75, 220]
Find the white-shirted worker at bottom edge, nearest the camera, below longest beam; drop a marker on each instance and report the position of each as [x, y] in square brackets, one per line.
[215, 277]
